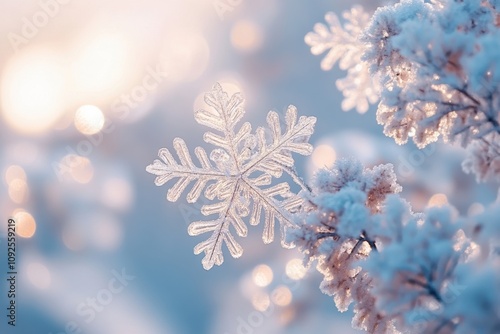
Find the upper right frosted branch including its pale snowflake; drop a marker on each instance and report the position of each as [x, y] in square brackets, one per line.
[436, 69]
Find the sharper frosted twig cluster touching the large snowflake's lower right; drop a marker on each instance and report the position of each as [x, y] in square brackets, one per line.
[336, 228]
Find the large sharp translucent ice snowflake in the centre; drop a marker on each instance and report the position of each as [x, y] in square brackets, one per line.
[239, 179]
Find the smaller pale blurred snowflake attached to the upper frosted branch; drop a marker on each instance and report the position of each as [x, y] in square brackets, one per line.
[359, 87]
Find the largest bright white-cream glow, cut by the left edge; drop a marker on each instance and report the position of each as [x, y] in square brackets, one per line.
[33, 92]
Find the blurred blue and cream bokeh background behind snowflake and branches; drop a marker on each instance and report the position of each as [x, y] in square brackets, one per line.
[90, 90]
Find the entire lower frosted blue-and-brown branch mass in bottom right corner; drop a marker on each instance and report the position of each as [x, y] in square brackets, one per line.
[404, 272]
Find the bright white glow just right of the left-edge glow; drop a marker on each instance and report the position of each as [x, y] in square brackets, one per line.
[101, 62]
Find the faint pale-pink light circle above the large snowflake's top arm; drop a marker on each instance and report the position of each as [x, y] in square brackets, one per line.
[184, 56]
